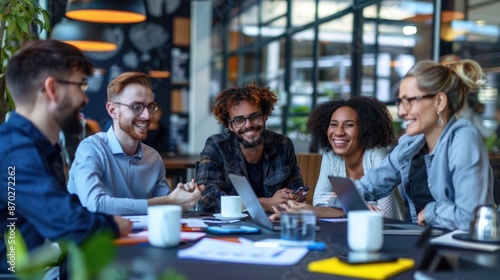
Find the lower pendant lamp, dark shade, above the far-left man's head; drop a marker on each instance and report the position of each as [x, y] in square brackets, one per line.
[86, 36]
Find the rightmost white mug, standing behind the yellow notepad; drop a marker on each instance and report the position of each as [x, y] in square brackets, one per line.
[364, 230]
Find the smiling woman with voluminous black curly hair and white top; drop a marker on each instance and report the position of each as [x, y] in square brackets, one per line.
[355, 135]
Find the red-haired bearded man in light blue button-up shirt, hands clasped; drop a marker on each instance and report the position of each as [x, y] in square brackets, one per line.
[114, 172]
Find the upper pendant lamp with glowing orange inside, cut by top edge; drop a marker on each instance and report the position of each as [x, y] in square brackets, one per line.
[106, 11]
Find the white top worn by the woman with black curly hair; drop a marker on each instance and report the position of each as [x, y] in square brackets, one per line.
[332, 164]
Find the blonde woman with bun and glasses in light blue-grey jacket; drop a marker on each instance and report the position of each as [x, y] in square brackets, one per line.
[441, 162]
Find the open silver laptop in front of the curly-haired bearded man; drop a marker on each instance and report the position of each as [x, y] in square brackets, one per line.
[252, 203]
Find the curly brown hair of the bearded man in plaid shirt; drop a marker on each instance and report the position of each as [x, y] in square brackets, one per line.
[253, 94]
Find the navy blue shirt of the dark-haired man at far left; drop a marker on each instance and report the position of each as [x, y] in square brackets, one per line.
[33, 197]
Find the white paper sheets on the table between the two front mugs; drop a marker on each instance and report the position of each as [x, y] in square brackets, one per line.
[217, 250]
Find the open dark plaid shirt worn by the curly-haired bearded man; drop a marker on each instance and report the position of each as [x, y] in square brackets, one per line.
[222, 155]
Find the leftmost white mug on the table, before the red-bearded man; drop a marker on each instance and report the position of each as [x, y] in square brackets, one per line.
[164, 225]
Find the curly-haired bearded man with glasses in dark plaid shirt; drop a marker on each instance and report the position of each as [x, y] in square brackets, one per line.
[266, 158]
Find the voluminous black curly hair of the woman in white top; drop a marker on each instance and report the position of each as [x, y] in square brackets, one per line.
[375, 122]
